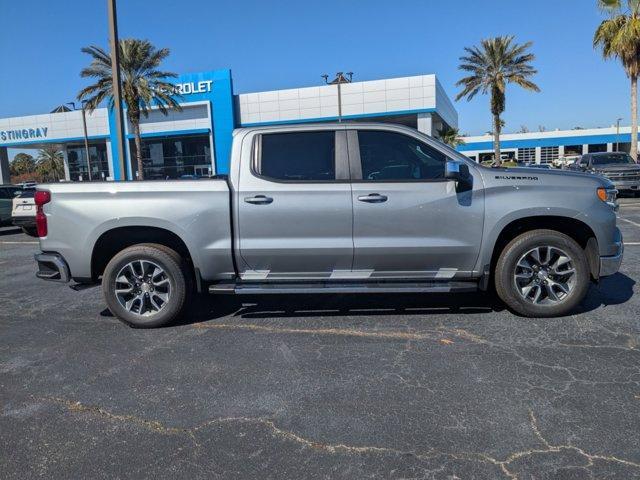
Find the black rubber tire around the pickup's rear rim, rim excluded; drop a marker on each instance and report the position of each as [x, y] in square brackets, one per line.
[175, 270]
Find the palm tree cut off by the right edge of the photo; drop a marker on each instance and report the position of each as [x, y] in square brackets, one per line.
[619, 37]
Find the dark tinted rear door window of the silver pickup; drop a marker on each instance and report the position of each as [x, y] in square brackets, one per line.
[299, 156]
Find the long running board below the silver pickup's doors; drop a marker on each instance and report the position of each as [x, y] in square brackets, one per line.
[247, 288]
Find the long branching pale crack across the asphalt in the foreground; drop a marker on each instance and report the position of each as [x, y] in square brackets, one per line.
[340, 448]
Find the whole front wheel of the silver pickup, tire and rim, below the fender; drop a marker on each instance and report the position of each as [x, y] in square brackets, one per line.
[542, 273]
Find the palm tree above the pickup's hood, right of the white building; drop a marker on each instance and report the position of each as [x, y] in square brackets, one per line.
[492, 65]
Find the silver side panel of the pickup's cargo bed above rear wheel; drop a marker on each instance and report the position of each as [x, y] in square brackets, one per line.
[197, 211]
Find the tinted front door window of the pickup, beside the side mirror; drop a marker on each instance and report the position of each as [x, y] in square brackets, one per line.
[388, 156]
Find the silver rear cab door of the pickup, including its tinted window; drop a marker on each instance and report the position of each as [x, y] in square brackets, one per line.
[294, 210]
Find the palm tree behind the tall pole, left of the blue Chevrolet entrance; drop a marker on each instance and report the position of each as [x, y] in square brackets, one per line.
[143, 84]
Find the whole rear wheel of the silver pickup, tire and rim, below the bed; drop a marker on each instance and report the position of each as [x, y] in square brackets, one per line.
[145, 285]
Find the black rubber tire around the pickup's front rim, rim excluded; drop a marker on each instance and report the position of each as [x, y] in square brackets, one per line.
[505, 282]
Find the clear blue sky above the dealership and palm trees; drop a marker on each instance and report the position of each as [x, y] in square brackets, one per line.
[278, 44]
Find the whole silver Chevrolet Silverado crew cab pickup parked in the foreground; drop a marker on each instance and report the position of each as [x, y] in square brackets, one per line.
[349, 208]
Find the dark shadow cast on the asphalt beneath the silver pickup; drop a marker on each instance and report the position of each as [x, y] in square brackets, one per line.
[613, 290]
